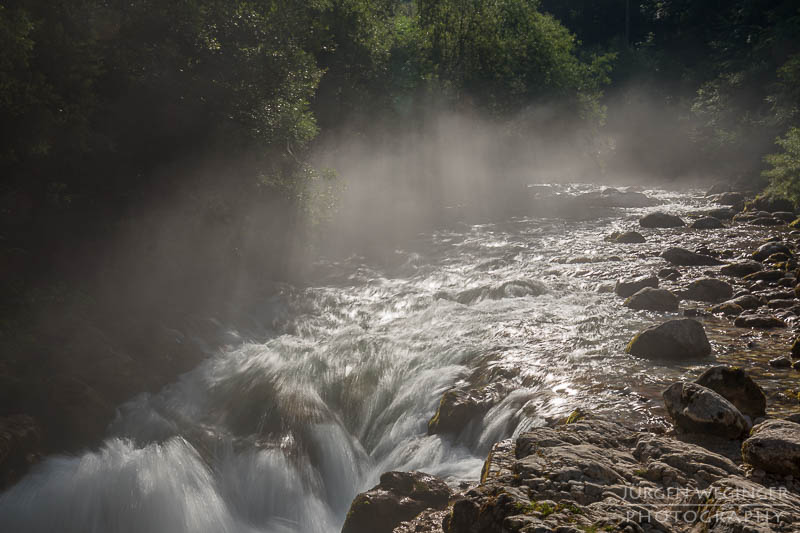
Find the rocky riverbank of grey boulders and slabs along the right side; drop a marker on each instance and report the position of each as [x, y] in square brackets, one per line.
[726, 457]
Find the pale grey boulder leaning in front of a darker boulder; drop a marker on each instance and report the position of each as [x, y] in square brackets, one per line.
[697, 409]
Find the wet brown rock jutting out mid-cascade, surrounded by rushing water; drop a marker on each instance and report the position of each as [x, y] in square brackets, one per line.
[458, 407]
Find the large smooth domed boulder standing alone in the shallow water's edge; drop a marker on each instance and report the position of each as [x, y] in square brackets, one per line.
[677, 339]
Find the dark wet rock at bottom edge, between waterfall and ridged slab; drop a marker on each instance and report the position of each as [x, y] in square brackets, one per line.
[399, 496]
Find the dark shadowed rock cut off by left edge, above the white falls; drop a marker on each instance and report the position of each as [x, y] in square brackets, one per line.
[20, 447]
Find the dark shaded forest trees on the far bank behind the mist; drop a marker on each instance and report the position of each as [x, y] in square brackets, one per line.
[156, 153]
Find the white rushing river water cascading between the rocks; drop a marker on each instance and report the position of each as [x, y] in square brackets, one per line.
[278, 434]
